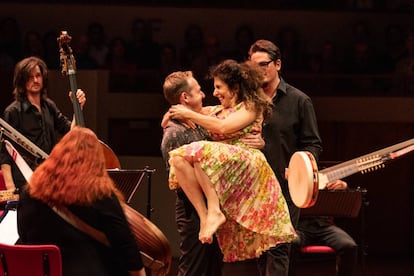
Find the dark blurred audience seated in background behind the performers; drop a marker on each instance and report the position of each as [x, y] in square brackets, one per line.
[138, 62]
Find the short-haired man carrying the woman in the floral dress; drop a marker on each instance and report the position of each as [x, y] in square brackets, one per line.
[195, 258]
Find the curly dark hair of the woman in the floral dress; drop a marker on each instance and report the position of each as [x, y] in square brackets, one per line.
[248, 78]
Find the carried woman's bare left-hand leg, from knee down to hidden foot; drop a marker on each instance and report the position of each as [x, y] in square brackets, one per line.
[187, 180]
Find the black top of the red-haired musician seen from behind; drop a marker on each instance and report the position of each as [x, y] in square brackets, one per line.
[81, 255]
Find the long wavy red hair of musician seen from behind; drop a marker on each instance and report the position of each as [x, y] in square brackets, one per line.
[74, 173]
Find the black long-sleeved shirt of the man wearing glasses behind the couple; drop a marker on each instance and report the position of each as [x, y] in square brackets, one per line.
[293, 127]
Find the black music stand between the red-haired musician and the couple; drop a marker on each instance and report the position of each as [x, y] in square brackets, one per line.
[128, 182]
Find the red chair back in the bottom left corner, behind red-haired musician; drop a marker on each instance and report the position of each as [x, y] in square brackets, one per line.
[34, 260]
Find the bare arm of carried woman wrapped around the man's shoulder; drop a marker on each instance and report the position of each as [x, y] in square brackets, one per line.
[234, 122]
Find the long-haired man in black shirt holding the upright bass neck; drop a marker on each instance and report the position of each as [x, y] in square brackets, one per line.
[33, 114]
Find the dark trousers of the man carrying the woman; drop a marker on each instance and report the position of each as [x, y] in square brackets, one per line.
[195, 258]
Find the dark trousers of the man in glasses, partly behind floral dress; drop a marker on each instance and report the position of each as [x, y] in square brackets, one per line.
[275, 262]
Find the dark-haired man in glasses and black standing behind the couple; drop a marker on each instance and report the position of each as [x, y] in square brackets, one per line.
[293, 127]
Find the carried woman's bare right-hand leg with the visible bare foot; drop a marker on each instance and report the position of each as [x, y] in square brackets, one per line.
[215, 218]
